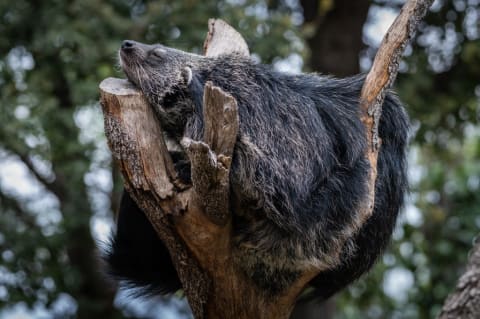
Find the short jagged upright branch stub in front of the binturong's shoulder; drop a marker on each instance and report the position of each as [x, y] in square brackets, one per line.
[210, 173]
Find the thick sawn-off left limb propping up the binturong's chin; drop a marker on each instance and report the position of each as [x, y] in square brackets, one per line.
[150, 177]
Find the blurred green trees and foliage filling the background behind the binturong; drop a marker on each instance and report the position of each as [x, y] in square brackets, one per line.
[53, 55]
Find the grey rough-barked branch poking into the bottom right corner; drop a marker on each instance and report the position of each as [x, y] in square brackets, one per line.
[464, 302]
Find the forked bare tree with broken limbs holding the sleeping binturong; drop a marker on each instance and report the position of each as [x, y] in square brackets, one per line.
[195, 223]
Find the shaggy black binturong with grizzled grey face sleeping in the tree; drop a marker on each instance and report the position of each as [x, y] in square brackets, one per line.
[298, 176]
